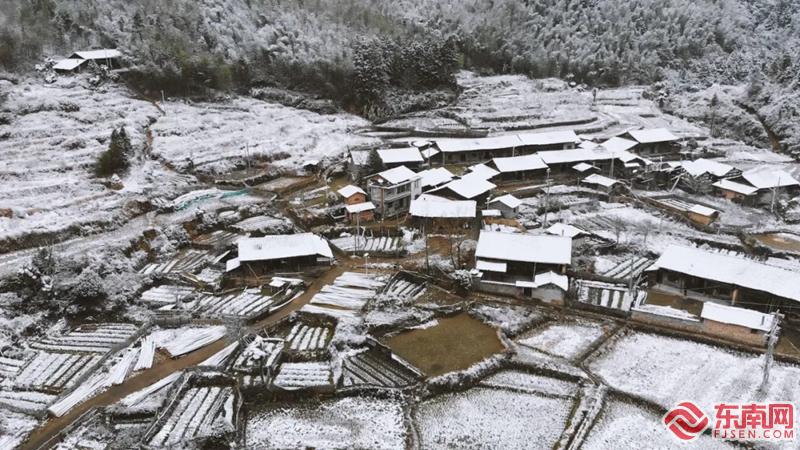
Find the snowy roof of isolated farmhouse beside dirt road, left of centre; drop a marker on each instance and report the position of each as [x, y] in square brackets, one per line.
[280, 246]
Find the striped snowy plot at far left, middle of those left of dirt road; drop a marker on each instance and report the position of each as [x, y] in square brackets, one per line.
[55, 372]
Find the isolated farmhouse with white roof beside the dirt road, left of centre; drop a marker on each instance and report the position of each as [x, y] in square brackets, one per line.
[281, 251]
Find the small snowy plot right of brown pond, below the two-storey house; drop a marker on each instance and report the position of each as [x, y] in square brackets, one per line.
[564, 339]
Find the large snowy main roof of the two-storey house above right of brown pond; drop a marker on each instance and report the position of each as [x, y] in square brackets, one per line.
[524, 248]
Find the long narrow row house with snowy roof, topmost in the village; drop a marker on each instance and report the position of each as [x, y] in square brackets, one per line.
[462, 151]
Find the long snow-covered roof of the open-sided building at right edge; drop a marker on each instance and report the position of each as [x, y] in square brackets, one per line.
[731, 270]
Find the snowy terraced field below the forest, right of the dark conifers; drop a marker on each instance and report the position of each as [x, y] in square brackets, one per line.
[215, 135]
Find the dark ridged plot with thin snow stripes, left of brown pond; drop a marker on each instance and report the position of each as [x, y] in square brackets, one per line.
[369, 368]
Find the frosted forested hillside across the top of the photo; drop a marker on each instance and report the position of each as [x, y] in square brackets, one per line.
[324, 47]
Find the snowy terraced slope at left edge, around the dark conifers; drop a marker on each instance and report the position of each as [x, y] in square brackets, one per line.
[46, 169]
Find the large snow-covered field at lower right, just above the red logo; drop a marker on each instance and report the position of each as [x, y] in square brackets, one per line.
[668, 370]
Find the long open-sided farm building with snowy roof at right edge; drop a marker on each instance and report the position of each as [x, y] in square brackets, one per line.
[707, 276]
